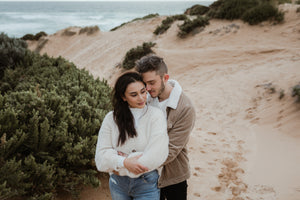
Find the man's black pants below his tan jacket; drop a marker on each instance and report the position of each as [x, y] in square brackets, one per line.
[174, 192]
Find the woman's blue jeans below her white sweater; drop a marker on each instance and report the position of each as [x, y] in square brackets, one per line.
[141, 188]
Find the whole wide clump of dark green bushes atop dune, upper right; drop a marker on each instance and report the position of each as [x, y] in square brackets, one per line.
[251, 11]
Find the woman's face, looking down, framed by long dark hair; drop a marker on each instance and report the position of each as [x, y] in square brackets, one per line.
[136, 95]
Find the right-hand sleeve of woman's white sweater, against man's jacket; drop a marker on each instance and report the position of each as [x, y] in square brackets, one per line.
[156, 151]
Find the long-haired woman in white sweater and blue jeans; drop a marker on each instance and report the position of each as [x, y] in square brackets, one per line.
[134, 129]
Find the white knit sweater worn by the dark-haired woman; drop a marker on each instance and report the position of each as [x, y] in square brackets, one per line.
[151, 140]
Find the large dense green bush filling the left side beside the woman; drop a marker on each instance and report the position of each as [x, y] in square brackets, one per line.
[50, 115]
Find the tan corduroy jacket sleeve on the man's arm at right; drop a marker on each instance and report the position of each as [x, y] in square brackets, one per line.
[180, 130]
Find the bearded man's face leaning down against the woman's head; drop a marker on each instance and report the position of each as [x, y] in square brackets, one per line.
[155, 85]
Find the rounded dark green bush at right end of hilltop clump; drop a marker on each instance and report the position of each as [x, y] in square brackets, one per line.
[262, 13]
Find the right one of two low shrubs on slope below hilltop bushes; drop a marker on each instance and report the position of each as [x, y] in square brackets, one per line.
[190, 25]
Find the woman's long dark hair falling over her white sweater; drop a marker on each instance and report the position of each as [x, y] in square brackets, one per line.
[122, 114]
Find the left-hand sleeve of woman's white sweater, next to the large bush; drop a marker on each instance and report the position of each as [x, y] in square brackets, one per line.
[106, 157]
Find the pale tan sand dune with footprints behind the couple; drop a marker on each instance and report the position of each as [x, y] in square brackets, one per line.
[246, 141]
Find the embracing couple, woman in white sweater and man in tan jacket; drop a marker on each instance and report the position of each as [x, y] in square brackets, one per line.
[142, 143]
